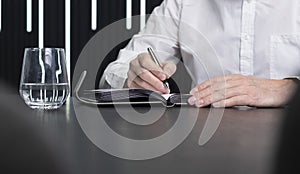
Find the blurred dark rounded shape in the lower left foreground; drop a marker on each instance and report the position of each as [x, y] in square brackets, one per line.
[23, 147]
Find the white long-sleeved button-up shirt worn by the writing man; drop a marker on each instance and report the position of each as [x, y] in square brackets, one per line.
[219, 37]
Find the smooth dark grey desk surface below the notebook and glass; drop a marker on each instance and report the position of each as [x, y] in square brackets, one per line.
[243, 143]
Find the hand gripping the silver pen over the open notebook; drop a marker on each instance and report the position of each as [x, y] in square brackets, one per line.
[144, 73]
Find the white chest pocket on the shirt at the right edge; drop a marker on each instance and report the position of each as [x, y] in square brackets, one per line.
[285, 56]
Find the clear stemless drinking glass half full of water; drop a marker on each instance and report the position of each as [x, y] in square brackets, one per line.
[44, 80]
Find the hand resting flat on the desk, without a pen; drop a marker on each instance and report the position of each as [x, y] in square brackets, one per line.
[235, 90]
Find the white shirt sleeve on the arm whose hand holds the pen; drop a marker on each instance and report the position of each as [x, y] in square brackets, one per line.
[160, 33]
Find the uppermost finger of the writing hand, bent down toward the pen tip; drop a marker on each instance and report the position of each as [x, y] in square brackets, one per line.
[146, 62]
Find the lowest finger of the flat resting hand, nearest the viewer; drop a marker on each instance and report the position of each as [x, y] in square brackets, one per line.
[233, 101]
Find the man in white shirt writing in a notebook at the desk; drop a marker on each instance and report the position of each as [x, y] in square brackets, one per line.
[257, 44]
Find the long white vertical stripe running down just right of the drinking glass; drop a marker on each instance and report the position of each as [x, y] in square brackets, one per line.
[68, 37]
